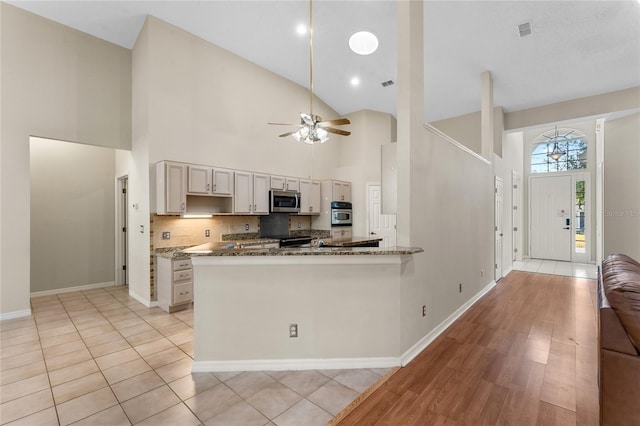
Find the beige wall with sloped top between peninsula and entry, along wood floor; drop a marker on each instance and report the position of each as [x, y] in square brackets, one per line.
[452, 218]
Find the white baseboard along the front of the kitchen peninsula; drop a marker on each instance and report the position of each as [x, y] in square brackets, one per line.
[294, 364]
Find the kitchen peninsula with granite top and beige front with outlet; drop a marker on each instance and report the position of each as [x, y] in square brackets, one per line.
[297, 308]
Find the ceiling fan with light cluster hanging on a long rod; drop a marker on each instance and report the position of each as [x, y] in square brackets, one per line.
[312, 128]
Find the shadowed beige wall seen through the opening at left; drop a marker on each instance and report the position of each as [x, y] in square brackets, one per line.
[72, 214]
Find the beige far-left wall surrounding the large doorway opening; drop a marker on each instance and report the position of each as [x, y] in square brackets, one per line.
[61, 84]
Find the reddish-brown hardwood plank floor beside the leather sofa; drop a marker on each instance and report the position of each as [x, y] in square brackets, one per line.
[525, 354]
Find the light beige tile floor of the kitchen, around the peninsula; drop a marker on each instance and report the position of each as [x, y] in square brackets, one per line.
[100, 357]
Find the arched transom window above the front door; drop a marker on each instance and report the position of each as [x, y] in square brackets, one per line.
[559, 150]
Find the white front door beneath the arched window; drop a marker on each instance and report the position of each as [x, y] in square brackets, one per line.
[550, 217]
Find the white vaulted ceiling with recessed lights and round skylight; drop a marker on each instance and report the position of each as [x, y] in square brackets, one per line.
[576, 49]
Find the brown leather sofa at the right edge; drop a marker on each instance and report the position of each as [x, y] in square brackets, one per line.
[619, 340]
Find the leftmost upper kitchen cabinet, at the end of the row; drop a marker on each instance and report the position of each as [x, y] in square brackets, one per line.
[171, 197]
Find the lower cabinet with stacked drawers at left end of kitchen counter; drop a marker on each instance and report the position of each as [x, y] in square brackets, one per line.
[174, 283]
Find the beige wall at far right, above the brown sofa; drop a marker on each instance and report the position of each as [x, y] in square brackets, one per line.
[621, 188]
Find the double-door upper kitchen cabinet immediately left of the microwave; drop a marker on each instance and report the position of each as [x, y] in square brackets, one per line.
[251, 193]
